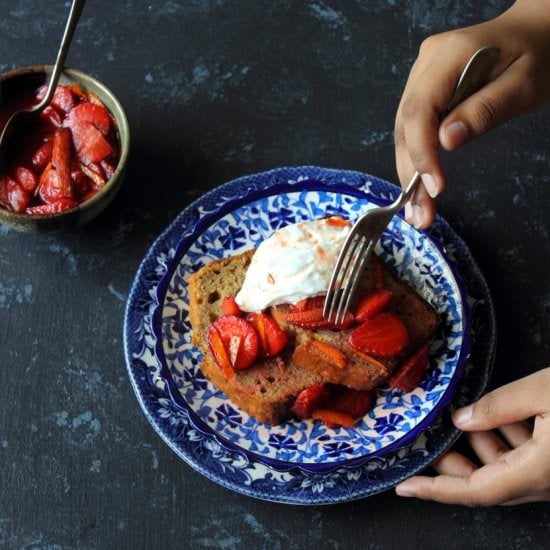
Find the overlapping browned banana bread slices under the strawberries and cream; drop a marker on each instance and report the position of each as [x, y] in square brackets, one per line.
[267, 390]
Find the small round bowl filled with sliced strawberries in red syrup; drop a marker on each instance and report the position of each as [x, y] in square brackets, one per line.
[69, 165]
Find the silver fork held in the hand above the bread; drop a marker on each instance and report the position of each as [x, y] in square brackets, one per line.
[366, 231]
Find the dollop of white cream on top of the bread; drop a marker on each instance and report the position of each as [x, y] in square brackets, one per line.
[294, 263]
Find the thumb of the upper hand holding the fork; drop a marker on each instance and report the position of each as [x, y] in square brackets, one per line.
[496, 102]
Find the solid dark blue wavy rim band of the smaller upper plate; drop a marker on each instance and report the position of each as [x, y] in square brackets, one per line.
[251, 196]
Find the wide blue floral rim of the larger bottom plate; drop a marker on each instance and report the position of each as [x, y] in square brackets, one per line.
[301, 488]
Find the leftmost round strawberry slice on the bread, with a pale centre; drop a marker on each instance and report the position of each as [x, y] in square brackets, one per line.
[239, 339]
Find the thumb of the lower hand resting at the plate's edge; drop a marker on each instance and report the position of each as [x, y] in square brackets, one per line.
[513, 402]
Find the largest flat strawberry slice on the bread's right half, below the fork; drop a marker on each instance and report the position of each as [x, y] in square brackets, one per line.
[384, 336]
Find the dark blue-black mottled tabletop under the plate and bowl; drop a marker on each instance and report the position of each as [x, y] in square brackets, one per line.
[215, 89]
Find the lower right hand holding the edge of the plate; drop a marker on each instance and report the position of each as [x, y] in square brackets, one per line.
[515, 465]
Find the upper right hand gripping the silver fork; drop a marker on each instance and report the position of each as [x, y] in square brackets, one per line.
[519, 83]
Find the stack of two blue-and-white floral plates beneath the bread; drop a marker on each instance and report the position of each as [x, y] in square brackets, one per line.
[300, 462]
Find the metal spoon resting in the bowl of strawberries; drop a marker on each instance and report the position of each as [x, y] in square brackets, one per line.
[23, 118]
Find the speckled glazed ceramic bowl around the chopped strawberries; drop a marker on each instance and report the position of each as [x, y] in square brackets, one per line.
[89, 209]
